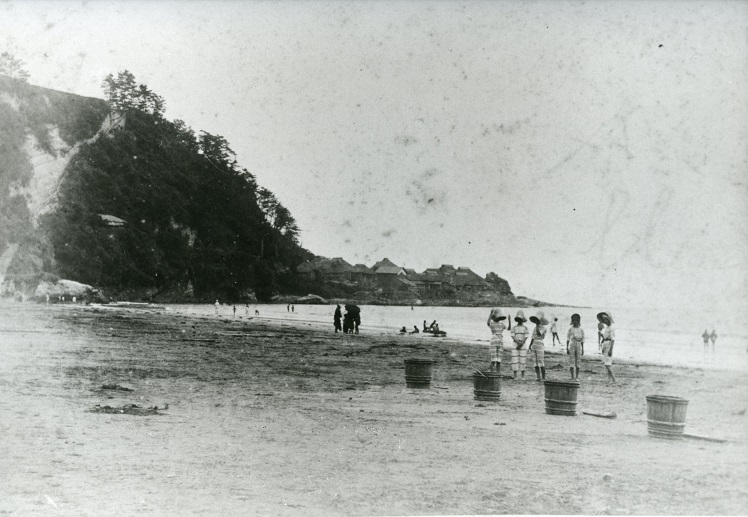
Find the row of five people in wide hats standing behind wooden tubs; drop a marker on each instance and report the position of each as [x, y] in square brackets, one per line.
[520, 335]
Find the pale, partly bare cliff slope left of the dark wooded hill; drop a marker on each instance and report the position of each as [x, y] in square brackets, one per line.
[41, 130]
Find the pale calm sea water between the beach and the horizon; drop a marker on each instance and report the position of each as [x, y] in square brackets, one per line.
[659, 336]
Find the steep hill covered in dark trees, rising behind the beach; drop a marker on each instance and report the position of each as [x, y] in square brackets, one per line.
[196, 225]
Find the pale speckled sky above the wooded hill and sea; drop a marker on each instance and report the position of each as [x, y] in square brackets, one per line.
[591, 153]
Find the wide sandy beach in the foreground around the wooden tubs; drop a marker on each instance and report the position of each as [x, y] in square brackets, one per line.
[270, 419]
